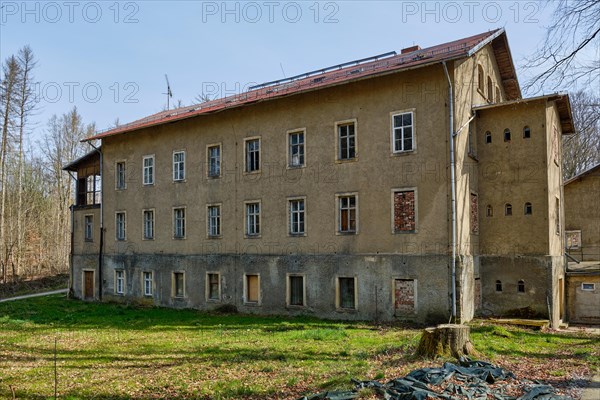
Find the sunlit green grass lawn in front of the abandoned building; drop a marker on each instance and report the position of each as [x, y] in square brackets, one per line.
[108, 351]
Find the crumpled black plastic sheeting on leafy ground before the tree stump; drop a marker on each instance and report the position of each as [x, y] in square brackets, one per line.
[475, 378]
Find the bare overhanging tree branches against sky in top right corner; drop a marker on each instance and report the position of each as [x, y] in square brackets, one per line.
[566, 55]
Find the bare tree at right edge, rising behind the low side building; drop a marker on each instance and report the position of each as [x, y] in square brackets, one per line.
[582, 149]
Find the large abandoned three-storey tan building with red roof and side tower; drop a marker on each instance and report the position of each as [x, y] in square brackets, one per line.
[416, 186]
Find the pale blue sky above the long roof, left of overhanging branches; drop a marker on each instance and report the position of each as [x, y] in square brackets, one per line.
[109, 58]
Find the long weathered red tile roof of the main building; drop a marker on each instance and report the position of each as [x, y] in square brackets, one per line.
[415, 59]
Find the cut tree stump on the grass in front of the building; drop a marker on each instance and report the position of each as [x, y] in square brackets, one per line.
[445, 340]
